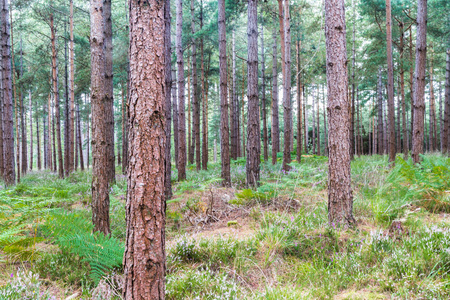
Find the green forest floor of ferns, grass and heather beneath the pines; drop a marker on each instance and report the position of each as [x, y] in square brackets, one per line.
[235, 243]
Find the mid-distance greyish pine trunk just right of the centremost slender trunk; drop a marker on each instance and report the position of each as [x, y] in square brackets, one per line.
[253, 126]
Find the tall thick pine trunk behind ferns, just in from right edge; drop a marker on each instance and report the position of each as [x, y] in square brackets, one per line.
[419, 80]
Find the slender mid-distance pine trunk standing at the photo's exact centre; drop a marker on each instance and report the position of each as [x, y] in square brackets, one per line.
[224, 128]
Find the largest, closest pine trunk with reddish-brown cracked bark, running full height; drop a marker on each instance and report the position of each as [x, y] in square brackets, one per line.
[144, 258]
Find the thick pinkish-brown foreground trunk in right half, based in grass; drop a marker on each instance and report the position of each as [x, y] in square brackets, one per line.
[340, 197]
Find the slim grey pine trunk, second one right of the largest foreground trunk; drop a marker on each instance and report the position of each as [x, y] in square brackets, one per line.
[181, 102]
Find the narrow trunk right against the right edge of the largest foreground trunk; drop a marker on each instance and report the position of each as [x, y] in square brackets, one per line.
[167, 99]
